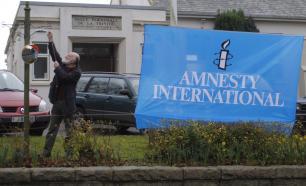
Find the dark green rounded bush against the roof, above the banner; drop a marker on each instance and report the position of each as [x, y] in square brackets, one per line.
[234, 20]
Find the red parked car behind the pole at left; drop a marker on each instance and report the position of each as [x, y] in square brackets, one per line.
[12, 106]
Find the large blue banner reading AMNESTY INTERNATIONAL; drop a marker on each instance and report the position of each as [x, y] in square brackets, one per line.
[191, 74]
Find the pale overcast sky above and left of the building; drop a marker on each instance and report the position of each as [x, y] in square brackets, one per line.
[8, 11]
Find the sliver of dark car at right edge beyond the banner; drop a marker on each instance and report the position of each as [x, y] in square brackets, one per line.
[301, 115]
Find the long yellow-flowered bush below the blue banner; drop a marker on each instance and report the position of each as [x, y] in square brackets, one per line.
[215, 144]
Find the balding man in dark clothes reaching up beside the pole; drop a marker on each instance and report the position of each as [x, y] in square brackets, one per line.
[62, 95]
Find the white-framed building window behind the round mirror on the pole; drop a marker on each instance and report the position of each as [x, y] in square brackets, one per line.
[40, 69]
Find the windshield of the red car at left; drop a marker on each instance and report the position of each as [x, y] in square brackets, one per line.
[9, 82]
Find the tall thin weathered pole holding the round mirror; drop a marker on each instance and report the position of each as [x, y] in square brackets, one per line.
[26, 84]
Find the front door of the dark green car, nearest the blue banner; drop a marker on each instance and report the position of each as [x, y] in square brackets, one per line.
[120, 107]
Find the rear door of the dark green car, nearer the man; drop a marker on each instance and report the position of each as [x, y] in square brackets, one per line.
[95, 97]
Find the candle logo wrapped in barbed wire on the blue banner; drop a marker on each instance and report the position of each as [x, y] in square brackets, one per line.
[224, 56]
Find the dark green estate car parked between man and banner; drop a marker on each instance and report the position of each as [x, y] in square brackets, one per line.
[108, 97]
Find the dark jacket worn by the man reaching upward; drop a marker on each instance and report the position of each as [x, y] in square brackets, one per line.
[66, 79]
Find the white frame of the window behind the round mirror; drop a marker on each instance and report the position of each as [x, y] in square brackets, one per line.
[40, 55]
